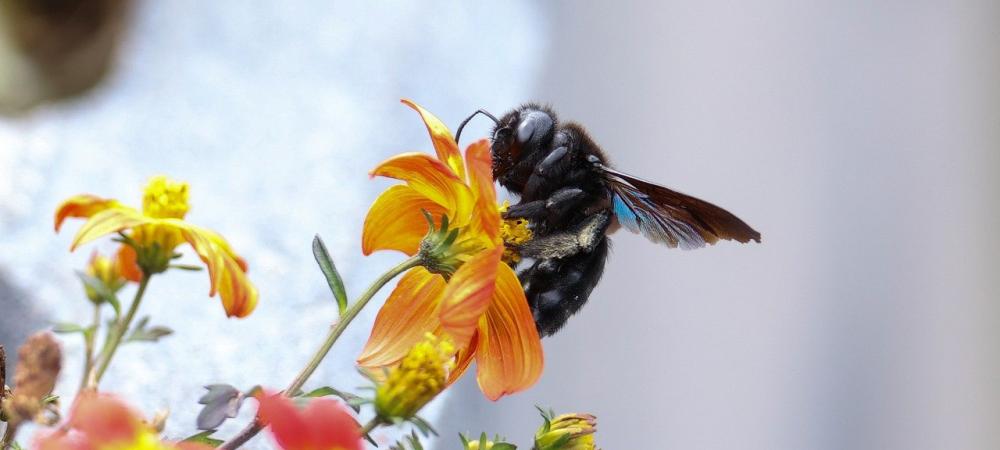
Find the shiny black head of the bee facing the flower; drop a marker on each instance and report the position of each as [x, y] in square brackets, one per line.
[519, 135]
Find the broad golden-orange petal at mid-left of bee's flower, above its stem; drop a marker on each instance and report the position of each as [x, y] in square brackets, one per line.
[394, 221]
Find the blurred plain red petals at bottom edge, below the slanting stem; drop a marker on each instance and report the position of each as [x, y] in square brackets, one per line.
[322, 425]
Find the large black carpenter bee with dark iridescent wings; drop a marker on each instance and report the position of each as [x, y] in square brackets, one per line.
[573, 200]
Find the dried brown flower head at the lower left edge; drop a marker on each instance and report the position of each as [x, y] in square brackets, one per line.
[39, 362]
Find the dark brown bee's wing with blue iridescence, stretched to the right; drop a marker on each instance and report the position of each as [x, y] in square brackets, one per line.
[669, 217]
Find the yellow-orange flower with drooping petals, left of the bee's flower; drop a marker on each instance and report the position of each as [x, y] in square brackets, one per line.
[157, 230]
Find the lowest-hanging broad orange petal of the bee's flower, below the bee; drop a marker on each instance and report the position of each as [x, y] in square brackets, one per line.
[510, 352]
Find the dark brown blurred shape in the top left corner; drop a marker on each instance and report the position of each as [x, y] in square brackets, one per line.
[56, 49]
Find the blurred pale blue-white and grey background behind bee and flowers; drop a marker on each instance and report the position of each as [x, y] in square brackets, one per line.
[862, 139]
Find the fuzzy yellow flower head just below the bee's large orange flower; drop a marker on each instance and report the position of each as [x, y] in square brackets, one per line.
[418, 378]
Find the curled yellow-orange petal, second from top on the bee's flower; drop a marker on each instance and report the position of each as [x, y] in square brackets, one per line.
[433, 179]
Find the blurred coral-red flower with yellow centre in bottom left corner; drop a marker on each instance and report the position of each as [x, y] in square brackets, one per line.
[102, 422]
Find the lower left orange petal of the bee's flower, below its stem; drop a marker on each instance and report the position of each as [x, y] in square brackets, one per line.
[410, 311]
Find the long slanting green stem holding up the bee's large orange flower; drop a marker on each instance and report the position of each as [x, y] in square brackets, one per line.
[251, 430]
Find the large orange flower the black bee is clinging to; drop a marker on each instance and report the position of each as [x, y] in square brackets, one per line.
[481, 307]
